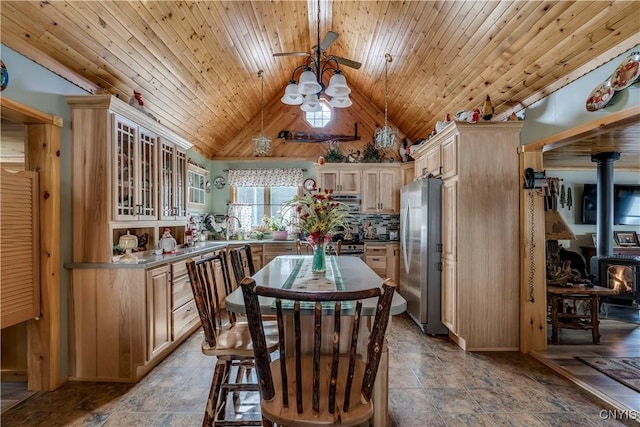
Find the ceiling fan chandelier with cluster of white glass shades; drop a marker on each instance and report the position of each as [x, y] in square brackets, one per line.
[307, 90]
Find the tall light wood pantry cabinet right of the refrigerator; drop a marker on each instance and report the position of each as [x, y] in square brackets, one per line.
[481, 182]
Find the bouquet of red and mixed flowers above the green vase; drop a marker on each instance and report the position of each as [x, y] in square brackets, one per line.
[319, 214]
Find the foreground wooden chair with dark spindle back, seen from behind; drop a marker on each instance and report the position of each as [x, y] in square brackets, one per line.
[317, 389]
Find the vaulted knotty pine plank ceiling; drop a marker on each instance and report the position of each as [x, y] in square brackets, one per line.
[196, 62]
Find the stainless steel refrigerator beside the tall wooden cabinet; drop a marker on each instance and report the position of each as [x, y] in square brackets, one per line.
[421, 249]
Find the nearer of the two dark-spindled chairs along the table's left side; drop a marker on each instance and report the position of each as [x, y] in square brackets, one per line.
[224, 338]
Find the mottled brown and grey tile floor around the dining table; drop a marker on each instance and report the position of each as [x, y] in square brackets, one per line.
[432, 383]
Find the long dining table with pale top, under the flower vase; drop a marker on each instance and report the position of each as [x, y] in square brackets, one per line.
[343, 273]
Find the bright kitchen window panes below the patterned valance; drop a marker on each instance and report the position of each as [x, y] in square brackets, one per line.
[265, 201]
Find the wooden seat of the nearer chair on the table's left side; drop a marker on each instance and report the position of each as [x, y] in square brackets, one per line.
[236, 341]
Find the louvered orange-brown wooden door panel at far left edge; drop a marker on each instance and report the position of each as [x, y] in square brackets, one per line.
[20, 273]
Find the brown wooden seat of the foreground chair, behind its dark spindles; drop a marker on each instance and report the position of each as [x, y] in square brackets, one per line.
[359, 409]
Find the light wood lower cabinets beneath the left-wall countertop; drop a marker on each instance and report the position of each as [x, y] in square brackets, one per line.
[126, 320]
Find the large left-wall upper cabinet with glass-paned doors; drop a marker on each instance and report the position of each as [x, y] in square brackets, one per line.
[128, 171]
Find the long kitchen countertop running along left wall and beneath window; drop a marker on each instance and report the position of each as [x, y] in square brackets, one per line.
[150, 260]
